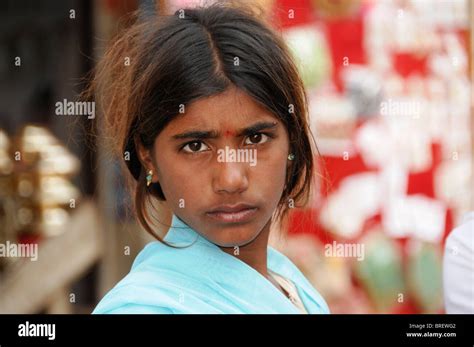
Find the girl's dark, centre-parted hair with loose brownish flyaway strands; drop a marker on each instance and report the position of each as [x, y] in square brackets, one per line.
[178, 59]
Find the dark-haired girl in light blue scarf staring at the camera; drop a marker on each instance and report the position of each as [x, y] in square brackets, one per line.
[212, 115]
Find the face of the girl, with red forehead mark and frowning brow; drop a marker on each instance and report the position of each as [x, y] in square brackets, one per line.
[222, 167]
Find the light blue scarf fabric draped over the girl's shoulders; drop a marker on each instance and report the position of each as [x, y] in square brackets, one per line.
[202, 278]
